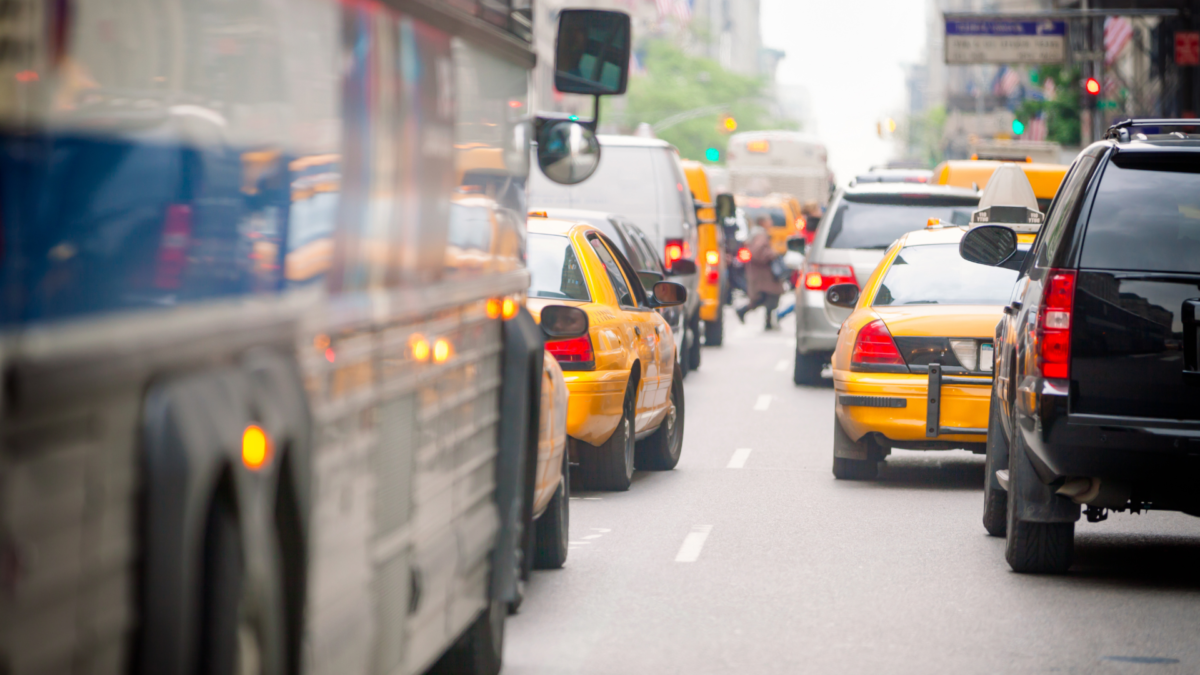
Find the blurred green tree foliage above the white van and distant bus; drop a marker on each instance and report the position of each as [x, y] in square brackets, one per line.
[676, 82]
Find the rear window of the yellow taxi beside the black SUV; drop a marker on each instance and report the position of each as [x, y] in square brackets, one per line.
[935, 274]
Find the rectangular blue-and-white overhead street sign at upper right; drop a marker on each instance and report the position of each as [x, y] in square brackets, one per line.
[989, 41]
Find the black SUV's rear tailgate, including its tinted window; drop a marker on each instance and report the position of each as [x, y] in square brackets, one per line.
[1138, 291]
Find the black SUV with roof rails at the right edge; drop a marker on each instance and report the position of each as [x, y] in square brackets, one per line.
[1096, 401]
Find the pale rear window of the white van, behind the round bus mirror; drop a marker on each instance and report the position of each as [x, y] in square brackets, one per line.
[625, 183]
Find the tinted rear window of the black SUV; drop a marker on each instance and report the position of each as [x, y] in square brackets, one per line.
[1147, 216]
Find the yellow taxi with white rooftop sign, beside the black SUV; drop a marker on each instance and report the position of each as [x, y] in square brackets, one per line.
[914, 363]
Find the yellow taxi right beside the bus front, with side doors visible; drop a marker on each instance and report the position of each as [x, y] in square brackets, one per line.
[626, 408]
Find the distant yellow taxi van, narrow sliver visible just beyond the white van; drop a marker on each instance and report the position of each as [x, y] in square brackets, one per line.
[712, 255]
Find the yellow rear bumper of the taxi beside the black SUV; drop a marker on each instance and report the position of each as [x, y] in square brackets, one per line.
[905, 409]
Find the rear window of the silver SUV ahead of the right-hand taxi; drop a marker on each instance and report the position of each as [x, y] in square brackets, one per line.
[863, 225]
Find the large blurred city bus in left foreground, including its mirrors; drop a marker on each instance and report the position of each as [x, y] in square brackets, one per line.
[269, 393]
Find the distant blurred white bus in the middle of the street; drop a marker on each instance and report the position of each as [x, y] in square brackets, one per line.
[789, 163]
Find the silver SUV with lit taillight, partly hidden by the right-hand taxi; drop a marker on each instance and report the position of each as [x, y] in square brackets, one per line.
[856, 231]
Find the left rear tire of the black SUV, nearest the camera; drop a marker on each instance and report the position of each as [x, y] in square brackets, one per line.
[1034, 548]
